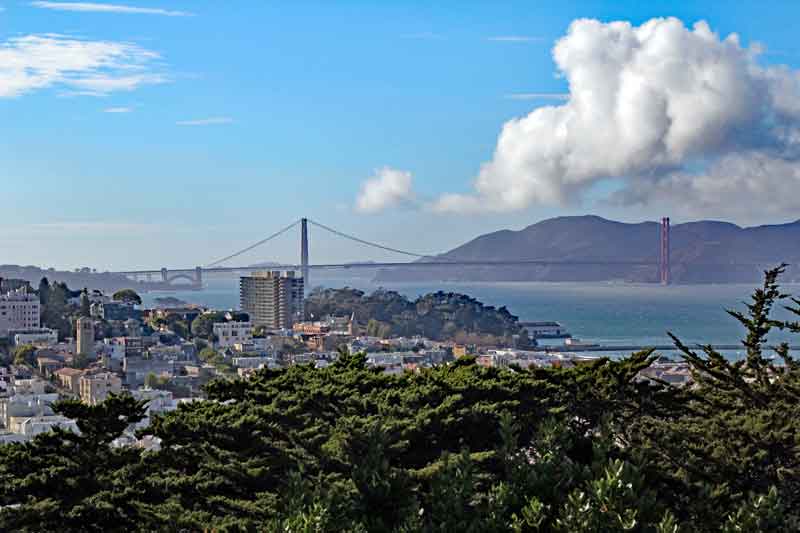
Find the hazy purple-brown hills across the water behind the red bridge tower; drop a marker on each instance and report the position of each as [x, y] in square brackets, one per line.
[702, 252]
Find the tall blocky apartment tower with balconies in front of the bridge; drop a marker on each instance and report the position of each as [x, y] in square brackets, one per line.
[272, 299]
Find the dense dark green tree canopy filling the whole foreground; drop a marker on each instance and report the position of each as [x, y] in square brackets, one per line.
[592, 448]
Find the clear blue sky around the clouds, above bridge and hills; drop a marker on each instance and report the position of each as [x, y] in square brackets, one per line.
[256, 113]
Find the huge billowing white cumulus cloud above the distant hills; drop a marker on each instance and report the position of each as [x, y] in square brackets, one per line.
[679, 114]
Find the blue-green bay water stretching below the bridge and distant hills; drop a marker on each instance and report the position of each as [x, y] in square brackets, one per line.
[606, 313]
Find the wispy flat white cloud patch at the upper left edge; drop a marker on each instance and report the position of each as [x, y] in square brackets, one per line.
[76, 66]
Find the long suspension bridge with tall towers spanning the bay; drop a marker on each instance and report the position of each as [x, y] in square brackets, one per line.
[194, 275]
